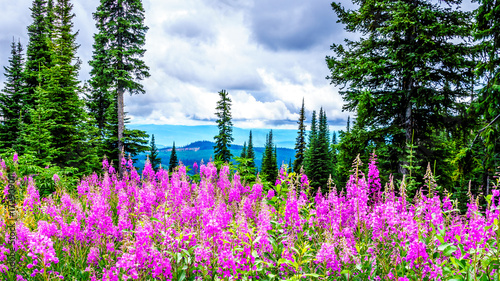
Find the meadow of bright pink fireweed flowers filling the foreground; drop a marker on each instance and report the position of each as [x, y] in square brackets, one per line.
[168, 227]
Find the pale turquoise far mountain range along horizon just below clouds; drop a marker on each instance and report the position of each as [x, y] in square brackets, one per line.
[182, 135]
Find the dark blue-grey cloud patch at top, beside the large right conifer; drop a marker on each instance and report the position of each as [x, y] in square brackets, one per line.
[292, 24]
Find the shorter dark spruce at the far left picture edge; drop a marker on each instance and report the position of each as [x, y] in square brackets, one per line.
[11, 99]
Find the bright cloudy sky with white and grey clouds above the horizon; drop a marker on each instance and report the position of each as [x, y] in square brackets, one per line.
[268, 54]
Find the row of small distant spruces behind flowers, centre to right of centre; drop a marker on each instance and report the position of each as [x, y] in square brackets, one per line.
[316, 151]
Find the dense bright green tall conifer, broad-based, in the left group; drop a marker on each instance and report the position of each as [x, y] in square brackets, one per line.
[57, 110]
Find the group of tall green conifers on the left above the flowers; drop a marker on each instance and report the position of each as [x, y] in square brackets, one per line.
[47, 113]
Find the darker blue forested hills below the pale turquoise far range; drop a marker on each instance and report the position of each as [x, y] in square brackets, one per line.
[203, 150]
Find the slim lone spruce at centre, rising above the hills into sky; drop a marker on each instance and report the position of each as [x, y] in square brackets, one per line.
[224, 138]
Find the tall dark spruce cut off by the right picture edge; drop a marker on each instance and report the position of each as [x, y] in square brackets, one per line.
[486, 107]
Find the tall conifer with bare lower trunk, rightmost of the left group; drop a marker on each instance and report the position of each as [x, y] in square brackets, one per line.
[117, 62]
